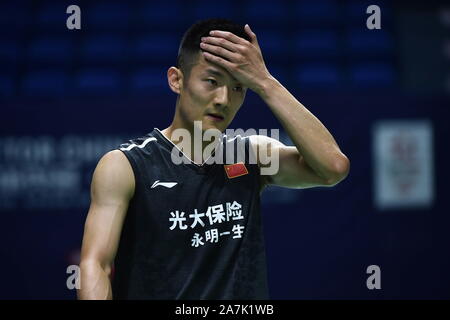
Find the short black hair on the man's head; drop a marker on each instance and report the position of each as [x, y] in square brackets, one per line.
[190, 43]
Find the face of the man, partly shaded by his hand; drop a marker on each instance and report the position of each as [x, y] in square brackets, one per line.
[210, 95]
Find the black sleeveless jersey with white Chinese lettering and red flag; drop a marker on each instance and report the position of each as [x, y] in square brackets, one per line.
[191, 231]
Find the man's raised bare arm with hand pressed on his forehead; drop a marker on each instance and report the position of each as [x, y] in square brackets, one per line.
[316, 159]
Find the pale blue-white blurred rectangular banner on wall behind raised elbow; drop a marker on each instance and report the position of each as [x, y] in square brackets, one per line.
[403, 164]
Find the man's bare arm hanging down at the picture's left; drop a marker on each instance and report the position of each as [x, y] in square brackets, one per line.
[112, 188]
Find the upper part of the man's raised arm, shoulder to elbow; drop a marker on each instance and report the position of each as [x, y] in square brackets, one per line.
[289, 168]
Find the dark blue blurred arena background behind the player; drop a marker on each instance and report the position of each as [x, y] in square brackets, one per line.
[69, 96]
